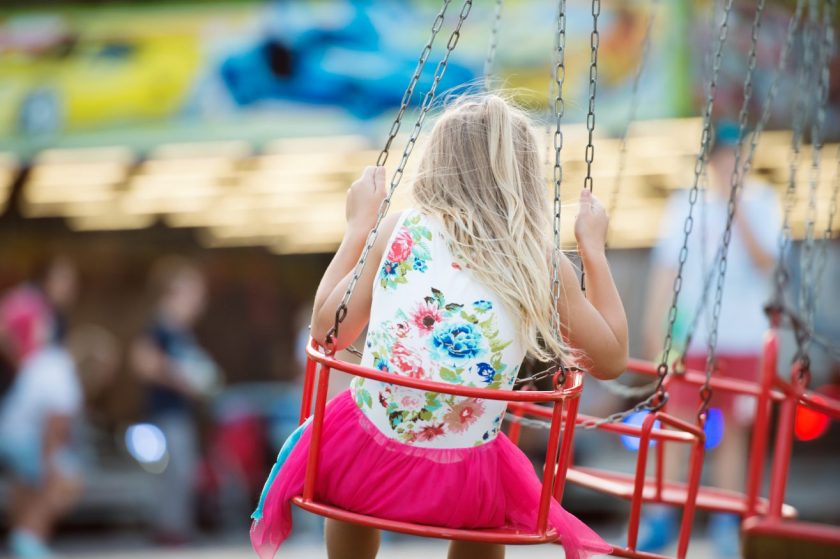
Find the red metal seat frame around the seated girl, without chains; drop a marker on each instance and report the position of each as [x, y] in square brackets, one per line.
[563, 402]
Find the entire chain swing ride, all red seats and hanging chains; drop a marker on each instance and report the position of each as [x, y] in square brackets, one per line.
[764, 519]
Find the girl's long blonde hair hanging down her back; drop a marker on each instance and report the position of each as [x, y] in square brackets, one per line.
[481, 175]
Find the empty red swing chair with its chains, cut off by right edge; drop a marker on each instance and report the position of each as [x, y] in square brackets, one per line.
[771, 534]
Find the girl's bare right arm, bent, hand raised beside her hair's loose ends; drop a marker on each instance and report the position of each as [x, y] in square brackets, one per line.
[596, 325]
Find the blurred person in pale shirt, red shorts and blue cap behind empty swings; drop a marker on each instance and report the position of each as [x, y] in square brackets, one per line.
[752, 257]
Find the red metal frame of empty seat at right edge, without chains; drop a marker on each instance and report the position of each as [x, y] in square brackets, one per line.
[772, 521]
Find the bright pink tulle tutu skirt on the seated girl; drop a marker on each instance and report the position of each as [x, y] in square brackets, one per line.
[361, 470]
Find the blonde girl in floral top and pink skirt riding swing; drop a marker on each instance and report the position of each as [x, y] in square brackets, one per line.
[456, 290]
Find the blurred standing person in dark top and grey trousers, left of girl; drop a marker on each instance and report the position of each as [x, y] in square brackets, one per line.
[178, 376]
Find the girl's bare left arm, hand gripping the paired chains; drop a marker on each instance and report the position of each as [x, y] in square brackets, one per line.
[363, 201]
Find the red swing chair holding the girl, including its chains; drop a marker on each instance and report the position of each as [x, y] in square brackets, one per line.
[562, 399]
